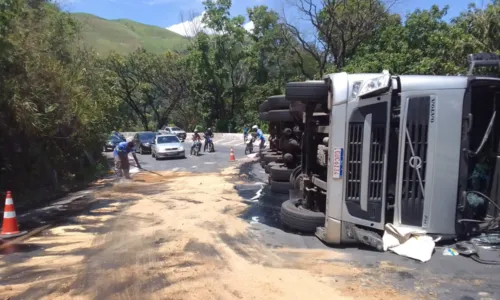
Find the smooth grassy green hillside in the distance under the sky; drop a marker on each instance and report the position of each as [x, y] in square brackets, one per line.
[125, 36]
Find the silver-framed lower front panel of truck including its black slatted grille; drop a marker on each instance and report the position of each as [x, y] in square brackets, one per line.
[366, 161]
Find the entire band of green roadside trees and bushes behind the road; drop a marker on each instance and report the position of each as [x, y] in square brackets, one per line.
[59, 98]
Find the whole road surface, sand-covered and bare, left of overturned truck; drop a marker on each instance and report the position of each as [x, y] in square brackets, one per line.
[209, 229]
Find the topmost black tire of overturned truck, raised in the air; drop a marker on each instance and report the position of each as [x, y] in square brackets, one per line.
[315, 91]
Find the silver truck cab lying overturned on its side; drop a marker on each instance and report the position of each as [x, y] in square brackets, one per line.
[415, 151]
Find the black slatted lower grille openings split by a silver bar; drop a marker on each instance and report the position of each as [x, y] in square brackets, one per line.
[375, 172]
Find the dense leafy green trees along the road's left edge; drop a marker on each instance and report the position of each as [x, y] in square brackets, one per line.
[54, 103]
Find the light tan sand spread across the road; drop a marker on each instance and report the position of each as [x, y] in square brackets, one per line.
[176, 236]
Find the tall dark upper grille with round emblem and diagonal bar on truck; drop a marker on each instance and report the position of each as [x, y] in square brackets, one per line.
[415, 162]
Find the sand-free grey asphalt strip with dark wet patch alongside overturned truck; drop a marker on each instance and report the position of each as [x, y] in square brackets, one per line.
[443, 277]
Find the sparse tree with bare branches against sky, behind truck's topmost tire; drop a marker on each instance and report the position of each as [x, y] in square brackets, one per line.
[341, 27]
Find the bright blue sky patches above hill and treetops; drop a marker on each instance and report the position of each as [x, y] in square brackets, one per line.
[165, 13]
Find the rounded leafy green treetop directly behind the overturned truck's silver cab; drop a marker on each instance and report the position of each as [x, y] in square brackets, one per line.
[424, 44]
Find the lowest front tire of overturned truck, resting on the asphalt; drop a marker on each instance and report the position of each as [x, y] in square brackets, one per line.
[303, 220]
